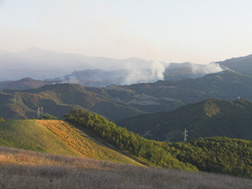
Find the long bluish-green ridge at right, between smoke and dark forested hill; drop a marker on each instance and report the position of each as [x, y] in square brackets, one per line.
[169, 95]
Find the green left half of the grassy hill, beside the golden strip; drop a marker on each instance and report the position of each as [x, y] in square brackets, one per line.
[30, 135]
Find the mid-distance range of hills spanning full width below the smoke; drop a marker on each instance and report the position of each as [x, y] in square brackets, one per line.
[117, 102]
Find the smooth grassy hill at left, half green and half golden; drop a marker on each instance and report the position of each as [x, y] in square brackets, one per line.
[56, 137]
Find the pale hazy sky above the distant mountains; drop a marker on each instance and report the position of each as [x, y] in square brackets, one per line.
[199, 31]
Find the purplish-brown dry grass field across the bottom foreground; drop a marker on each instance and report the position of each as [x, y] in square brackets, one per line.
[25, 169]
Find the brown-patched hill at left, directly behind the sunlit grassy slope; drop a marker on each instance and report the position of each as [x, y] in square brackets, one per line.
[58, 100]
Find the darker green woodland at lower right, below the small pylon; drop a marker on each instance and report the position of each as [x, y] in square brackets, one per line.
[216, 154]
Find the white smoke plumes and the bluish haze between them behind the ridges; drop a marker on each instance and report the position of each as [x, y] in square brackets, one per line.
[140, 71]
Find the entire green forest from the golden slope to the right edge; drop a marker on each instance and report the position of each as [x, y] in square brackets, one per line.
[216, 154]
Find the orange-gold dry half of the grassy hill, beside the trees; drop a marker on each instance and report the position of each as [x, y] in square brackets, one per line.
[82, 143]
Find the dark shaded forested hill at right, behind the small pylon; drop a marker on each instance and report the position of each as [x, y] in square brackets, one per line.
[205, 119]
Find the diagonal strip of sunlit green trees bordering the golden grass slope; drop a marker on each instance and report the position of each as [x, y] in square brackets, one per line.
[127, 141]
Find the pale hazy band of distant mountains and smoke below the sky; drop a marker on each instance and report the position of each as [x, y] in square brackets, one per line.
[94, 71]
